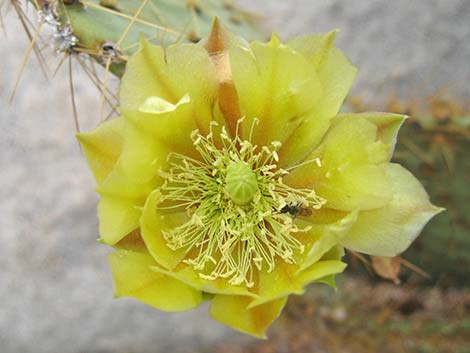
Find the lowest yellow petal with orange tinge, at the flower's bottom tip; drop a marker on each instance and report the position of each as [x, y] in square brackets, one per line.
[233, 311]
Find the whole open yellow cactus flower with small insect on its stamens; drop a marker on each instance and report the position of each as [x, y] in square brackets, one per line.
[231, 177]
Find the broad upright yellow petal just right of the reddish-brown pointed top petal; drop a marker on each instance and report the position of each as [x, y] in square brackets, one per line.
[276, 85]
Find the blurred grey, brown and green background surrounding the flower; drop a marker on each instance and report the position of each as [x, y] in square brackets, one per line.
[55, 285]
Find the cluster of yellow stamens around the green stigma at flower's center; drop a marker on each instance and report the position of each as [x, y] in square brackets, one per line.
[240, 213]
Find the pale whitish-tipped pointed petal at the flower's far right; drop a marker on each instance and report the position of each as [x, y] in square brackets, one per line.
[388, 231]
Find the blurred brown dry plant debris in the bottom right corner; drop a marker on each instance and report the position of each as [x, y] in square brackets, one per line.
[368, 318]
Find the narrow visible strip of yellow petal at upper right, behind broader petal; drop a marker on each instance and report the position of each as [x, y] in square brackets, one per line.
[336, 75]
